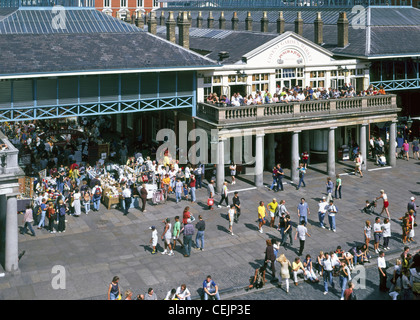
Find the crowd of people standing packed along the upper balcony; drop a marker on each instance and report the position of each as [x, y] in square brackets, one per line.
[294, 94]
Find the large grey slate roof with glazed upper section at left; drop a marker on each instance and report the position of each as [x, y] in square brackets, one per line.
[90, 42]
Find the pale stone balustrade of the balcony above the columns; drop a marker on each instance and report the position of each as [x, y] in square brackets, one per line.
[219, 114]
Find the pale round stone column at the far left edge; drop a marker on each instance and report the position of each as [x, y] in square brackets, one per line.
[11, 250]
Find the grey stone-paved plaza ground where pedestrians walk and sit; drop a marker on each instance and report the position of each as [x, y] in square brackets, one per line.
[103, 244]
